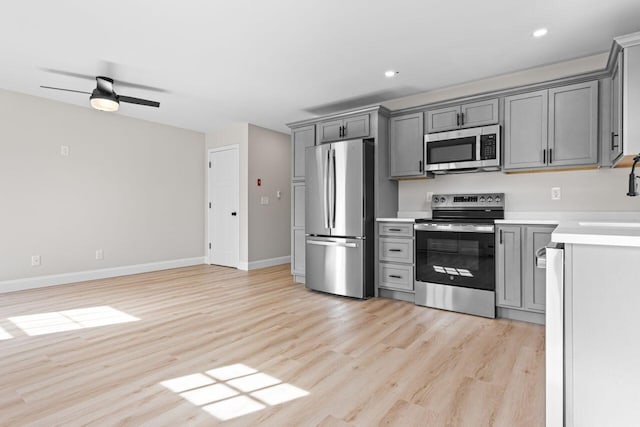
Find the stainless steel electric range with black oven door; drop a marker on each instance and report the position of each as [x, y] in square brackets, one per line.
[455, 253]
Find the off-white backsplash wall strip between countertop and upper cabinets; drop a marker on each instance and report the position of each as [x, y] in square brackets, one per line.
[581, 191]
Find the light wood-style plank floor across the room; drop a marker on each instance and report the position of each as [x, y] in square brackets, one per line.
[342, 362]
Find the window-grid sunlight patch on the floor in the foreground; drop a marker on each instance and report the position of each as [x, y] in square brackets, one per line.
[232, 391]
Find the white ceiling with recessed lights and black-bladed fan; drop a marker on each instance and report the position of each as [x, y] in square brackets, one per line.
[273, 62]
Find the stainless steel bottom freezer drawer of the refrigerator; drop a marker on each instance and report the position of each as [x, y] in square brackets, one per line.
[336, 265]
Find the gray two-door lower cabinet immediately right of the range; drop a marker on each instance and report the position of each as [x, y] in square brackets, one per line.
[520, 285]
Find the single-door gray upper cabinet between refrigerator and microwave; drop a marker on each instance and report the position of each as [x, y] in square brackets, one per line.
[406, 145]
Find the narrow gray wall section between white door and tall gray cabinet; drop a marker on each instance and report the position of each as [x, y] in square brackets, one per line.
[269, 225]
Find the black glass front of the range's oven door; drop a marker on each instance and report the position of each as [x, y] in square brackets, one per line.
[458, 259]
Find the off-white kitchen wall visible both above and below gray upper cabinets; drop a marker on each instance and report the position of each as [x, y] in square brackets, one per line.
[592, 190]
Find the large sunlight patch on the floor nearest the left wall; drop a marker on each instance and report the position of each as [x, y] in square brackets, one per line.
[69, 320]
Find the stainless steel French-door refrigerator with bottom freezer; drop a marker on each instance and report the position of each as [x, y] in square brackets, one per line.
[339, 218]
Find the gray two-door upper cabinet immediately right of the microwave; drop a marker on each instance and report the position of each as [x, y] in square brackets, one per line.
[552, 128]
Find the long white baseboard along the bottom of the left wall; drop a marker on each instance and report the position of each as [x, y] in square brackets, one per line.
[82, 276]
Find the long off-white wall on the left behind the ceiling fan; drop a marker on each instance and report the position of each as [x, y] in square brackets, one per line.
[129, 187]
